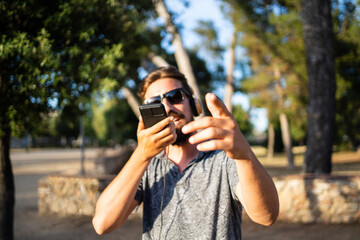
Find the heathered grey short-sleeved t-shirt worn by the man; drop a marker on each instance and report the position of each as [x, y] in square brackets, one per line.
[199, 203]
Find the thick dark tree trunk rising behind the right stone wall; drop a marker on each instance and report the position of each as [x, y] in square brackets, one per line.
[319, 46]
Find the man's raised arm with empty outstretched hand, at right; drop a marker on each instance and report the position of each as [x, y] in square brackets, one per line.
[255, 188]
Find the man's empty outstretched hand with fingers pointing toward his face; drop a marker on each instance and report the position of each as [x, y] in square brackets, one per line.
[219, 132]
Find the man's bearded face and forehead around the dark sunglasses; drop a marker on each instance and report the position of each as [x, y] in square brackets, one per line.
[181, 111]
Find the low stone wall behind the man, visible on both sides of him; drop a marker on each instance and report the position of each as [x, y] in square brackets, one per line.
[303, 198]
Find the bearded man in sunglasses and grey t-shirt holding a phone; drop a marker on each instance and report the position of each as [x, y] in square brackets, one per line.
[193, 176]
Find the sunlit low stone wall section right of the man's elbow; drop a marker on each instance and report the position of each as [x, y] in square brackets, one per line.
[325, 198]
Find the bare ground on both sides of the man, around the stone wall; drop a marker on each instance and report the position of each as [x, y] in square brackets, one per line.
[31, 166]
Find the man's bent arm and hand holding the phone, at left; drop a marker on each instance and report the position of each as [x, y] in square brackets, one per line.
[117, 201]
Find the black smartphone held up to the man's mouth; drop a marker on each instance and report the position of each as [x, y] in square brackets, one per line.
[152, 113]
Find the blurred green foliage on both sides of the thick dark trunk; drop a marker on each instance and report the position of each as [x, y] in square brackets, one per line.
[272, 35]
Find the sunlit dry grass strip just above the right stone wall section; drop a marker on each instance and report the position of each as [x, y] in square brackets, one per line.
[343, 163]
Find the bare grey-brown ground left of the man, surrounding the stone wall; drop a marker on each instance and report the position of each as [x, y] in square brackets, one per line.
[29, 168]
